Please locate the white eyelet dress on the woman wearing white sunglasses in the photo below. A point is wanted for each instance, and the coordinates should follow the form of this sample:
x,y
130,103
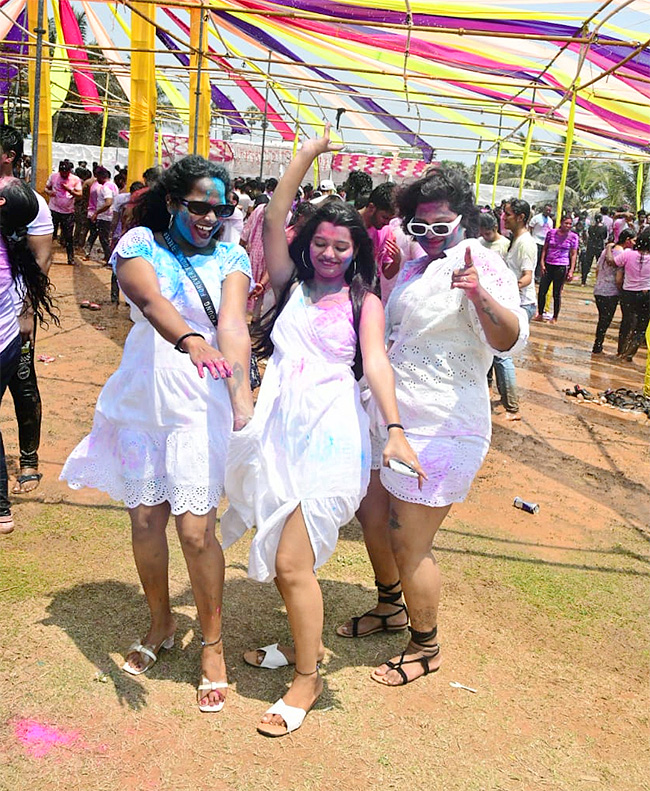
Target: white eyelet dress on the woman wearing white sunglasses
x,y
441,357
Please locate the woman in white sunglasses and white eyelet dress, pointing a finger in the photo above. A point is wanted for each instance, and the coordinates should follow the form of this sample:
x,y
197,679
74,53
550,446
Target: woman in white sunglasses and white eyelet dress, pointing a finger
x,y
449,313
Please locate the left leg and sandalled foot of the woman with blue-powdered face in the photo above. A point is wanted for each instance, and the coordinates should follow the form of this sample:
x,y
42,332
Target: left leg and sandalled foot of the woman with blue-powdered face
x,y
149,539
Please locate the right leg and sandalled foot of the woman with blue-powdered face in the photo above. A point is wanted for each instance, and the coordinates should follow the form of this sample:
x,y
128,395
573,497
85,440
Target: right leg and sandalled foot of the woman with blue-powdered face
x,y
205,565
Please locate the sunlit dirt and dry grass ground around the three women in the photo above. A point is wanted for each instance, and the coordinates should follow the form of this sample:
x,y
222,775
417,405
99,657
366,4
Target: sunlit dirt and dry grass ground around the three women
x,y
545,616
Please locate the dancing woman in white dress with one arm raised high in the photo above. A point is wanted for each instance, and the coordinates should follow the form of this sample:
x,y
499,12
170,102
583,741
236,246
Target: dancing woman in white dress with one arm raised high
x,y
299,469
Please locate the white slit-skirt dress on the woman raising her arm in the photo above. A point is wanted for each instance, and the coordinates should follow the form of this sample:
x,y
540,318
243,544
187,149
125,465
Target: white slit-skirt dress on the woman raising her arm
x,y
308,442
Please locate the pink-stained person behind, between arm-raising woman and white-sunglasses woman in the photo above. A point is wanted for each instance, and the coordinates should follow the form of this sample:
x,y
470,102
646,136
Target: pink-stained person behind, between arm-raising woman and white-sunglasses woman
x,y
376,216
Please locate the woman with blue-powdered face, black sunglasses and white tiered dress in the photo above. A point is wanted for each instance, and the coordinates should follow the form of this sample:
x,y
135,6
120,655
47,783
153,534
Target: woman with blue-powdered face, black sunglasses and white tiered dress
x,y
164,418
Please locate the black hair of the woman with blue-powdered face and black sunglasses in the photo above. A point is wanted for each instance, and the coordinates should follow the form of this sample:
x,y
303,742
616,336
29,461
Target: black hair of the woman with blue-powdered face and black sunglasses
x,y
151,209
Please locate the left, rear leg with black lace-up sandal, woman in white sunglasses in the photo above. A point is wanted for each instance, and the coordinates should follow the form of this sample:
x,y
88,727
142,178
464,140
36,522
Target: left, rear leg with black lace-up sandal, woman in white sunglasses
x,y
373,514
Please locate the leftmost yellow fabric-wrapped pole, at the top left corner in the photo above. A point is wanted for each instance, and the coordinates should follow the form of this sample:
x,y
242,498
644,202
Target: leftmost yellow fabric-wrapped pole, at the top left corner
x,y
42,135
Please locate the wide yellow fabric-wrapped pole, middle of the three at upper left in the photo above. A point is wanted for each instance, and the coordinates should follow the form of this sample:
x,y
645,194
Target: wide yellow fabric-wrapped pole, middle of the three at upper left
x,y
143,89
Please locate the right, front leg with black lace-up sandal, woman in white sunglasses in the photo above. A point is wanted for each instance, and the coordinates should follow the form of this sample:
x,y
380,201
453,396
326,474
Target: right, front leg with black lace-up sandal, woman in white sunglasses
x,y
413,528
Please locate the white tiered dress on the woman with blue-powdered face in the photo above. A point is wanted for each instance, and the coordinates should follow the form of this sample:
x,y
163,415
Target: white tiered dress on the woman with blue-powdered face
x,y
160,432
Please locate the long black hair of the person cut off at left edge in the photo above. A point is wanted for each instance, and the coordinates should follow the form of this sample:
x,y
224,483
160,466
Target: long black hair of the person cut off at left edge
x,y
19,209
